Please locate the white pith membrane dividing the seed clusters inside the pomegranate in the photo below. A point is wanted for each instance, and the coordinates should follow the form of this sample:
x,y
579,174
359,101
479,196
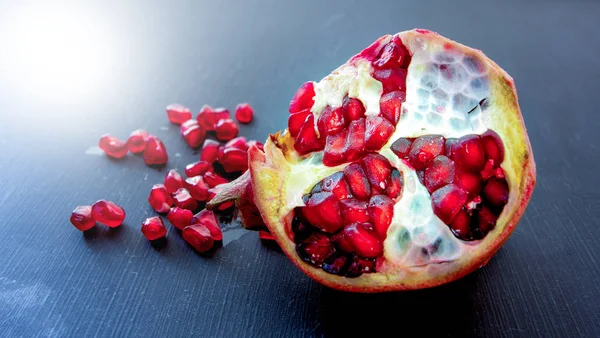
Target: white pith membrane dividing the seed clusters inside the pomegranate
x,y
444,90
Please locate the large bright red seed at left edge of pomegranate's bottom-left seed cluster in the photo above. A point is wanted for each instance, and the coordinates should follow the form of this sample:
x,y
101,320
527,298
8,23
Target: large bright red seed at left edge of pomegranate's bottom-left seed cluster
x,y
323,211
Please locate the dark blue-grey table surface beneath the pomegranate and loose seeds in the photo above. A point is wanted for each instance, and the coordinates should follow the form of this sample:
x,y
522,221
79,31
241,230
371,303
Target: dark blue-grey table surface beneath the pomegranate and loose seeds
x,y
71,72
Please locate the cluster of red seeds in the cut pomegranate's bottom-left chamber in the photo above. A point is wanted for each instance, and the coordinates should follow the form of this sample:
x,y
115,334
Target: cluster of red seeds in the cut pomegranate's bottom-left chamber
x,y
344,223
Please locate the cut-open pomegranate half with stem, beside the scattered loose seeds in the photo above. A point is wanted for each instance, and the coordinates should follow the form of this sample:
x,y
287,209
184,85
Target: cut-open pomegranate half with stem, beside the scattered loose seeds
x,y
405,168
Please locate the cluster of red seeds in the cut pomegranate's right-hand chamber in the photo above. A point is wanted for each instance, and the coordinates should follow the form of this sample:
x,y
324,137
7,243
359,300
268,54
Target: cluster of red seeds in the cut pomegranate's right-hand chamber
x,y
468,188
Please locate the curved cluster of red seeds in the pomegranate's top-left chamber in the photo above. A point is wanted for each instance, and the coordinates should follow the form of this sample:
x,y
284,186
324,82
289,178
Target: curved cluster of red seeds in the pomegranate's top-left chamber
x,y
344,133
